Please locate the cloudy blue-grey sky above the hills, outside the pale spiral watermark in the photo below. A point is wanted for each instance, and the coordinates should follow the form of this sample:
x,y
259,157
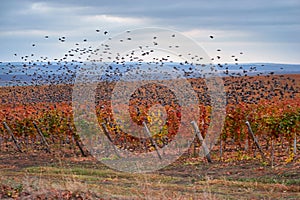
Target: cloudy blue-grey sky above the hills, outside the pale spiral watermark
x,y
264,30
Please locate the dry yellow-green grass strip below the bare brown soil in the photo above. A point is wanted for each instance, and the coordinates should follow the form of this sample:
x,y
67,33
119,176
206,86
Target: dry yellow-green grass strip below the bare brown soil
x,y
106,183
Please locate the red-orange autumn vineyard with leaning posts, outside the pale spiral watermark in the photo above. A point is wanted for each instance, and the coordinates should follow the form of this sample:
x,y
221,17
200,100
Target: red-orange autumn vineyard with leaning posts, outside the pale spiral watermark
x,y
40,120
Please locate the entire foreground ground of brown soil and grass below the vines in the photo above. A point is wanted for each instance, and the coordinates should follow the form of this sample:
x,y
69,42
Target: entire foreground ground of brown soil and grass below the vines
x,y
43,176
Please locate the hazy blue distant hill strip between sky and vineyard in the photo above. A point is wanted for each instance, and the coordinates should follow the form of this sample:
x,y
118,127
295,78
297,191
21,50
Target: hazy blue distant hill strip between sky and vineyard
x,y
17,73
